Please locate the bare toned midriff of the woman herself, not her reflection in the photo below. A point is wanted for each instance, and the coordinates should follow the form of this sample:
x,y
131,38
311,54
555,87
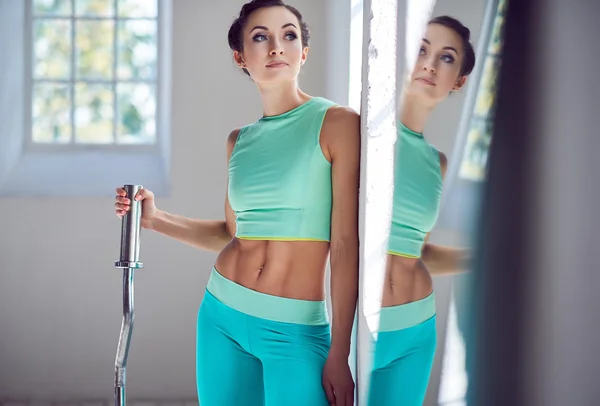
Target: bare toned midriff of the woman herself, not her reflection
x,y
291,269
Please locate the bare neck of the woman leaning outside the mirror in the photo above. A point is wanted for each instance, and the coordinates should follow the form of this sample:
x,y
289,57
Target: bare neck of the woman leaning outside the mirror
x,y
280,98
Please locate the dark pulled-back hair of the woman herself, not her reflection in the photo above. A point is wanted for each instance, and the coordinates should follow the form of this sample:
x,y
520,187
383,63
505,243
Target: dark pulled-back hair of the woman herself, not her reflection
x,y
236,31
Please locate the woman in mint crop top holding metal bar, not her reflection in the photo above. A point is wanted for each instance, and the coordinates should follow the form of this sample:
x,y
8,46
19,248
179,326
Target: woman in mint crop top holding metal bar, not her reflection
x,y
263,336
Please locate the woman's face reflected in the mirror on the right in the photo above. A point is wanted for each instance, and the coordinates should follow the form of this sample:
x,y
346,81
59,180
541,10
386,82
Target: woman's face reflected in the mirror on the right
x,y
438,66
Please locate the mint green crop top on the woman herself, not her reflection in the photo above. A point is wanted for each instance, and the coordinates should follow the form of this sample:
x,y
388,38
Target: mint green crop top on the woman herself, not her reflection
x,y
279,179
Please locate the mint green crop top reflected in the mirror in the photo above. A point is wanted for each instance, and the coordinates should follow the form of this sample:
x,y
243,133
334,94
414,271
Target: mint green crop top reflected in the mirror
x,y
417,192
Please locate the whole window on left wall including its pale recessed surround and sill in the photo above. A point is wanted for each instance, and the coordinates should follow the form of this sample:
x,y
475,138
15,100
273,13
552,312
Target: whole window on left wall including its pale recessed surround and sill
x,y
87,96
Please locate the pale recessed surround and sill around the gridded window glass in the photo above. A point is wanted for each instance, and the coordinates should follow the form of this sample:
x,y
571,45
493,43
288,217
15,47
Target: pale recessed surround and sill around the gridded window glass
x,y
33,169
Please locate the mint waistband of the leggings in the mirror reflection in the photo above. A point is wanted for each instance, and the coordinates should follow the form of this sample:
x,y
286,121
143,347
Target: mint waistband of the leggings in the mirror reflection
x,y
407,315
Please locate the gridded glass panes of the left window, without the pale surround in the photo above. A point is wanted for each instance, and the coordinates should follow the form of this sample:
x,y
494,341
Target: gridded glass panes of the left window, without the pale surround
x,y
94,69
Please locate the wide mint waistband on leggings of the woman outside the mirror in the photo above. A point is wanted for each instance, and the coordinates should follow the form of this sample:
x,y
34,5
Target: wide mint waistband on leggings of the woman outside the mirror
x,y
265,306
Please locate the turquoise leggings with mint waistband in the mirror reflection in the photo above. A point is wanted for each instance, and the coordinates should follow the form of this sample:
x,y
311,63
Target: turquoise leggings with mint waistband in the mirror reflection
x,y
404,354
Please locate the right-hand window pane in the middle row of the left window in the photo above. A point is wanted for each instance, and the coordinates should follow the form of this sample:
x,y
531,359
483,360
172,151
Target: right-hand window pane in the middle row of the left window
x,y
137,49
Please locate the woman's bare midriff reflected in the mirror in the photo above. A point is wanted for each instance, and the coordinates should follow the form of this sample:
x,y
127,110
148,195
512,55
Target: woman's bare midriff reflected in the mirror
x,y
407,280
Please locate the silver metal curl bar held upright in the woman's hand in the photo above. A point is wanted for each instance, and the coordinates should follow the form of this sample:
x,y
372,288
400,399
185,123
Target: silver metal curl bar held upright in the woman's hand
x,y
129,261
